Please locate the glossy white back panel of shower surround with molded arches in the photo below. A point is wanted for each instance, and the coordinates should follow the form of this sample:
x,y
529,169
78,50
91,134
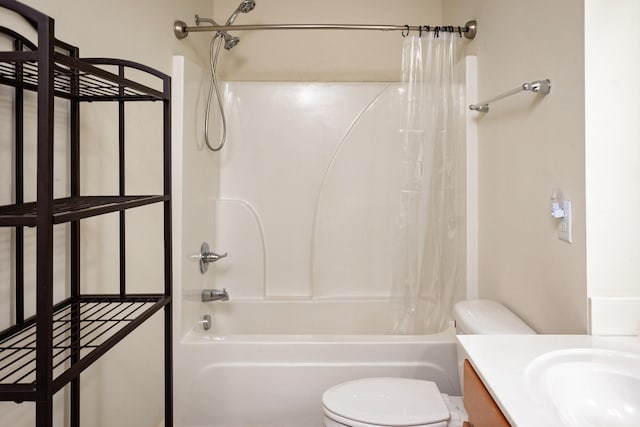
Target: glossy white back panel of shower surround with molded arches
x,y
308,204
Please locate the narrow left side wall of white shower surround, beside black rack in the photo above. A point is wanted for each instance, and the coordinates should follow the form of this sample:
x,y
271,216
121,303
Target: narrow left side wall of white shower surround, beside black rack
x,y
194,191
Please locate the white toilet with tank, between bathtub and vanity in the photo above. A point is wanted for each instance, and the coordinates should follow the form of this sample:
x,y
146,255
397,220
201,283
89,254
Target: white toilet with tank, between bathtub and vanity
x,y
398,402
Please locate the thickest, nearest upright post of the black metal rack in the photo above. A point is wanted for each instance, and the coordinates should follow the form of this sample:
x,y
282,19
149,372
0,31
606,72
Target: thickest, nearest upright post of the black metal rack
x,y
44,224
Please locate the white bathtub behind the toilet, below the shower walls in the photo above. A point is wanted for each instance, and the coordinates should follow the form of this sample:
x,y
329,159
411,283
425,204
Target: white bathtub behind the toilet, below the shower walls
x,y
237,377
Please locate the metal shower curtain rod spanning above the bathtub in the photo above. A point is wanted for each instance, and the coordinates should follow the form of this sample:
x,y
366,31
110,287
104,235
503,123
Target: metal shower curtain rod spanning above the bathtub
x,y
181,30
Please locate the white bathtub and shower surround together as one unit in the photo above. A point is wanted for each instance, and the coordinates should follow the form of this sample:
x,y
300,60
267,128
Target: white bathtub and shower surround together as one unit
x,y
303,198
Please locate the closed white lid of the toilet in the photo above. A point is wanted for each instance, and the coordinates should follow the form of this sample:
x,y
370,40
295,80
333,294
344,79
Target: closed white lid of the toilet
x,y
387,401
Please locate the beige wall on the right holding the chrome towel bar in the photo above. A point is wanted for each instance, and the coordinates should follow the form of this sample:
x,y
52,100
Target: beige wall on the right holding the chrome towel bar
x,y
527,147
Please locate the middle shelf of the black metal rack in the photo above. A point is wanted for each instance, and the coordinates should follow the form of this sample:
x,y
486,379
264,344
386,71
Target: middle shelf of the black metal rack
x,y
73,208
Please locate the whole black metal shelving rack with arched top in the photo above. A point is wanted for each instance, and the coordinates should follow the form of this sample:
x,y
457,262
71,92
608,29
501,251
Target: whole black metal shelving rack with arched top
x,y
41,354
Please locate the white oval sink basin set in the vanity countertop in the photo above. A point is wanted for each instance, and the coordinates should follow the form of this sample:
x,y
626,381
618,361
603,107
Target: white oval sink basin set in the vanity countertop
x,y
588,387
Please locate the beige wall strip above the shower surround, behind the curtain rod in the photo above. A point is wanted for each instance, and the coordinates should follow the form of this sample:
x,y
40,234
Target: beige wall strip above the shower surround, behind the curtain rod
x,y
320,55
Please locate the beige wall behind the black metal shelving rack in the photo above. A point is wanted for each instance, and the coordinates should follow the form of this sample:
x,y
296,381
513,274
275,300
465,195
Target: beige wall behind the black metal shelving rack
x,y
124,388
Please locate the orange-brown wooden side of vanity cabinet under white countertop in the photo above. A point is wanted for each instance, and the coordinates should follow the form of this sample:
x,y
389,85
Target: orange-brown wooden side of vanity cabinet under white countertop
x,y
481,408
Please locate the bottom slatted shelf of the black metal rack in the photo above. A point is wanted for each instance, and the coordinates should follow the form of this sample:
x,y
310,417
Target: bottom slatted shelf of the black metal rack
x,y
89,325
